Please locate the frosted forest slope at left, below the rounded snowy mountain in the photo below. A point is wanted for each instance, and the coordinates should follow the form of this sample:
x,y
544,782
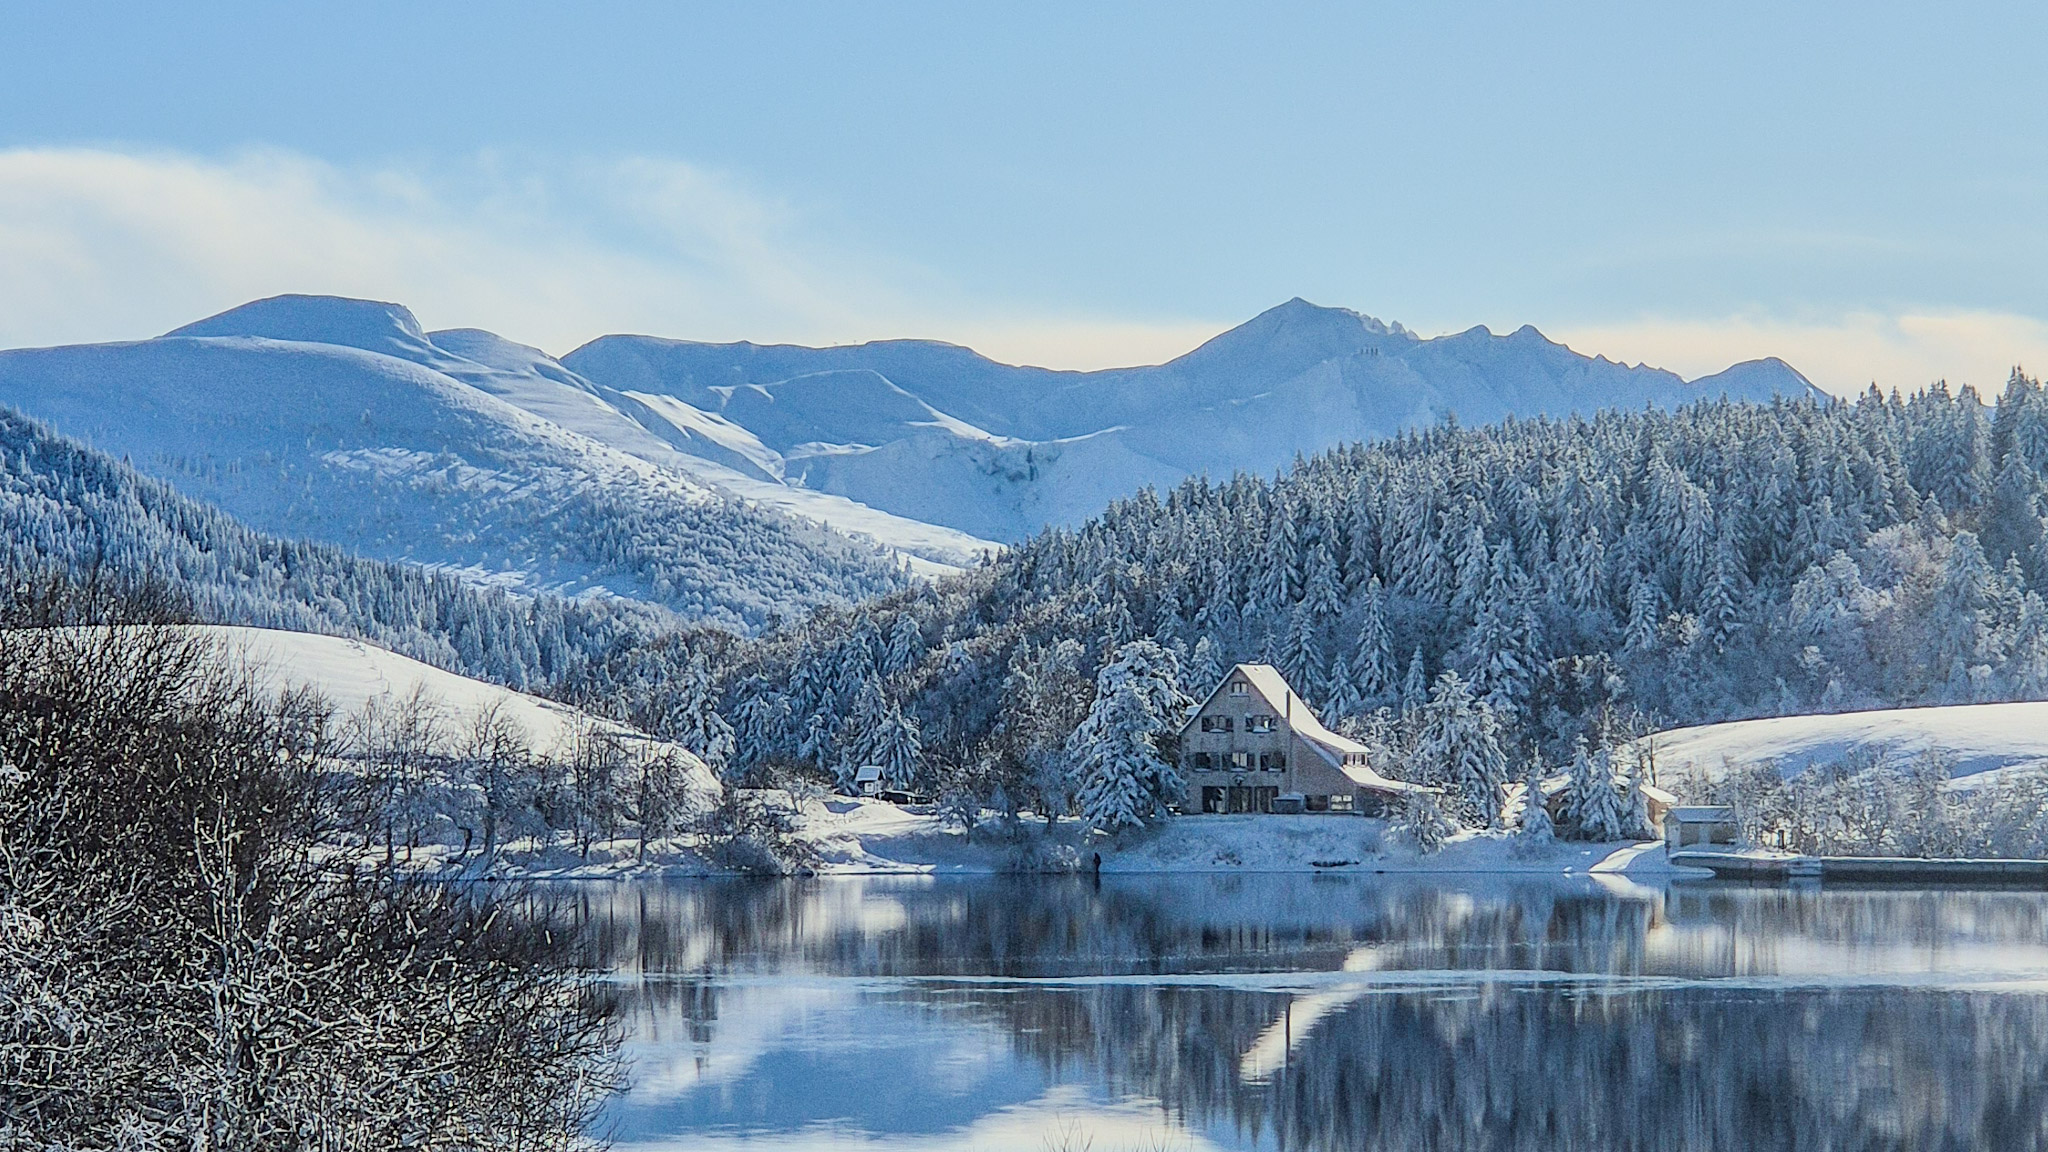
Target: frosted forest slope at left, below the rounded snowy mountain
x,y
75,511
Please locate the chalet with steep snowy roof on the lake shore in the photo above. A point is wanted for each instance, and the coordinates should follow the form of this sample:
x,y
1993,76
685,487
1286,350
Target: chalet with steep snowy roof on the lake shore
x,y
1256,747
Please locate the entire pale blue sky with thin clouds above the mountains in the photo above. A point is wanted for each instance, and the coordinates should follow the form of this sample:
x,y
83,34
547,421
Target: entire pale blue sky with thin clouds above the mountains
x,y
1861,190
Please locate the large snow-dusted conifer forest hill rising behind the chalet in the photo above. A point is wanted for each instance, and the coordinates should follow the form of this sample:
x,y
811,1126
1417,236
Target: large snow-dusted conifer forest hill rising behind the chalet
x,y
1711,563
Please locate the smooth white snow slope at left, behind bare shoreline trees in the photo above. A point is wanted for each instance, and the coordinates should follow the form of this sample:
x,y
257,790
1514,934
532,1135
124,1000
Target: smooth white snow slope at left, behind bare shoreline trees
x,y
353,675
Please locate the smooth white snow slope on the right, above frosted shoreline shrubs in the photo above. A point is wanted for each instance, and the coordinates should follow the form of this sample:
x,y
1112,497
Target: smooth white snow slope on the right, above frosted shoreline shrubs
x,y
1981,737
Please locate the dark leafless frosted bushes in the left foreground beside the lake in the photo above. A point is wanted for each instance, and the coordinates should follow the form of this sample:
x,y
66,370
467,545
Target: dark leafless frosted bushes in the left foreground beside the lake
x,y
191,956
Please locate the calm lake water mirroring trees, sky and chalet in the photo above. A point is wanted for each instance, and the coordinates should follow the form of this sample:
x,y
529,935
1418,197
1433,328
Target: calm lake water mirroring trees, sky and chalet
x,y
1324,1014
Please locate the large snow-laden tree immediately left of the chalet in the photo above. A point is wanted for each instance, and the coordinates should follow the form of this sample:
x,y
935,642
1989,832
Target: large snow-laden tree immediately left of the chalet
x,y
1125,776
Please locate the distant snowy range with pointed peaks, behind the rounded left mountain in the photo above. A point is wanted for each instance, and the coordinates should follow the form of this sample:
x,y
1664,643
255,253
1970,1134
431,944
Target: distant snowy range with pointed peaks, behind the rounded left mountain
x,y
941,434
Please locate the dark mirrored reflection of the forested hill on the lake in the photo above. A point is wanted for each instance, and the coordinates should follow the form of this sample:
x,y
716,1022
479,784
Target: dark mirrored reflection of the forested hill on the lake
x,y
1385,1063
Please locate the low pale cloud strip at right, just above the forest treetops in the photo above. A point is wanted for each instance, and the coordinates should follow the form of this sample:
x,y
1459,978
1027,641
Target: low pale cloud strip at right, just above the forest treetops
x,y
1842,354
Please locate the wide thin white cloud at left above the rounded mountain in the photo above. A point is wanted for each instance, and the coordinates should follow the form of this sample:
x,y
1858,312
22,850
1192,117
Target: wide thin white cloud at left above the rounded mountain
x,y
101,245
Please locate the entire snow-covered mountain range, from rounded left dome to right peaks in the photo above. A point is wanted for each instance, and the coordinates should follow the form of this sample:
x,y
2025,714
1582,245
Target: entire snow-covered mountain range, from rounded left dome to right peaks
x,y
724,481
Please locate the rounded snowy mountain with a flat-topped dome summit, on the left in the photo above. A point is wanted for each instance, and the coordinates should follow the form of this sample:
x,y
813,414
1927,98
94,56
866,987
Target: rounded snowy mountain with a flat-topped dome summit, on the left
x,y
341,421
